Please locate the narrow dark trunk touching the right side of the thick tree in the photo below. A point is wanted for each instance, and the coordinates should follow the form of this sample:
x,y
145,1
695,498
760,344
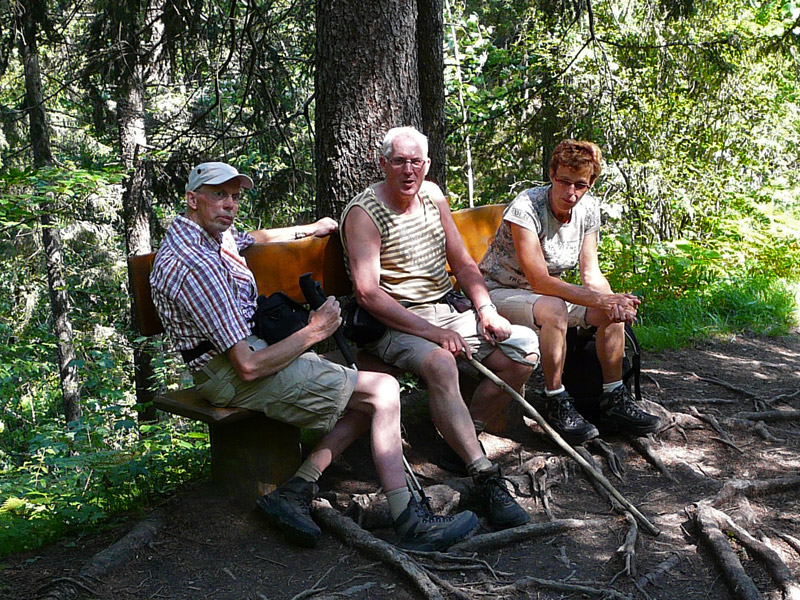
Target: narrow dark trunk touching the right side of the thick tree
x,y
430,41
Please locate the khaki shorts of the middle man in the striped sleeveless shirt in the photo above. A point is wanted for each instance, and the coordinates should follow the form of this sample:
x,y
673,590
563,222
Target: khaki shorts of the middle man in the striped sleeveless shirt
x,y
409,351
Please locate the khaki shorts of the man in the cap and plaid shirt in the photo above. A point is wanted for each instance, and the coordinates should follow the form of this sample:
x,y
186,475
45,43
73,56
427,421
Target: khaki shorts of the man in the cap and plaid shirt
x,y
310,393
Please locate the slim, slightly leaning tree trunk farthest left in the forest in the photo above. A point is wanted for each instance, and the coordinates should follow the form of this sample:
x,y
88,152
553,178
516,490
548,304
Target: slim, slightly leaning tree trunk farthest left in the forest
x,y
51,238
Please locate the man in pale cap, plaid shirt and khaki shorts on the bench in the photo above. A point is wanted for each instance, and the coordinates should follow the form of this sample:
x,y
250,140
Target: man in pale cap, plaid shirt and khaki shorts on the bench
x,y
206,298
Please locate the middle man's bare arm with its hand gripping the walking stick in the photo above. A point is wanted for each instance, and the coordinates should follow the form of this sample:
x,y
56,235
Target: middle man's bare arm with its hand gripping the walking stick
x,y
364,243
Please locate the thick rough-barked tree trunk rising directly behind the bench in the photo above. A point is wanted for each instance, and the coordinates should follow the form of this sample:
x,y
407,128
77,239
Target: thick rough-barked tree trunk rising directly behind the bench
x,y
366,82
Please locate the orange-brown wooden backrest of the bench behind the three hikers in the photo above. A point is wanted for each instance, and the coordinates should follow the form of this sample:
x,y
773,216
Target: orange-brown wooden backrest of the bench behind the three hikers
x,y
278,266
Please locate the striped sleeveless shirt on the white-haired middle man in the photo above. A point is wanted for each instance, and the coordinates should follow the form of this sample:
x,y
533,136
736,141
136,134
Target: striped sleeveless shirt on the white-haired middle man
x,y
413,253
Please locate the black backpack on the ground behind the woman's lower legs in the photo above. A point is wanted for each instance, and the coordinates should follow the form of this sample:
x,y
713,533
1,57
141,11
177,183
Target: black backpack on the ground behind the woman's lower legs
x,y
583,377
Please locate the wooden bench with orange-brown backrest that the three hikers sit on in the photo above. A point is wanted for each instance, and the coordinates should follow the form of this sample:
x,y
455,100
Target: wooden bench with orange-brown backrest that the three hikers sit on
x,y
250,454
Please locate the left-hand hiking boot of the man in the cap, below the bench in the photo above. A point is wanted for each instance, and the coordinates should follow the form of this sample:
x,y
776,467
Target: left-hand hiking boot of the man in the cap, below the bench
x,y
288,509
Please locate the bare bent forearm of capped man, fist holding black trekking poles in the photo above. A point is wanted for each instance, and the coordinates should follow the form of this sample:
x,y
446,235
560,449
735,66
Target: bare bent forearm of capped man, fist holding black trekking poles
x,y
250,365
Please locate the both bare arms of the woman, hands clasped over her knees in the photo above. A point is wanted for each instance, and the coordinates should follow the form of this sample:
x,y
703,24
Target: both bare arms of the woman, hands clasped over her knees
x,y
595,293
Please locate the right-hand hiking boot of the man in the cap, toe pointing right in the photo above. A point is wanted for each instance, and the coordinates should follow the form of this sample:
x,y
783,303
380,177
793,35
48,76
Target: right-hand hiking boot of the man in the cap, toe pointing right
x,y
421,530
